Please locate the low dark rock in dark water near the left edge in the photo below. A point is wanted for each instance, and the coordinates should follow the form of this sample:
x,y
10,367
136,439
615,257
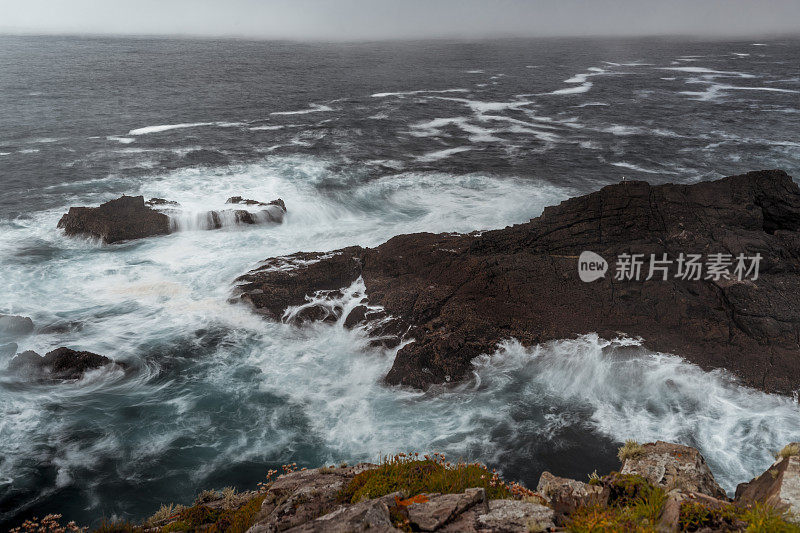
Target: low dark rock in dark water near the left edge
x,y
59,364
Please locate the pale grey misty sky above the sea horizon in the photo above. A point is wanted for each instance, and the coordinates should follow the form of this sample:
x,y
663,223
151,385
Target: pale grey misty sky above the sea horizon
x,y
389,19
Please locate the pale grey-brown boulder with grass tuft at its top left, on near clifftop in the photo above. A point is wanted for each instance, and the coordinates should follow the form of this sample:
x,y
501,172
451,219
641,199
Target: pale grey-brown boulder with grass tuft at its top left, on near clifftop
x,y
673,466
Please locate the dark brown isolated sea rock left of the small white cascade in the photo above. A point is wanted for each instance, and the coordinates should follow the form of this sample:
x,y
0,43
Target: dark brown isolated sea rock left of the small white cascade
x,y
122,219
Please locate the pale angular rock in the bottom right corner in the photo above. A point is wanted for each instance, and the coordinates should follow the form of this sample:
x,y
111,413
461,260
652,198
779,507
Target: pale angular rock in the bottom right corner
x,y
778,487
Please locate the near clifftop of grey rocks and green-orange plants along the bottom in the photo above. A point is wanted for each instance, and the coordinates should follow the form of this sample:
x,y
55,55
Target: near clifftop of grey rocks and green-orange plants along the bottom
x,y
660,487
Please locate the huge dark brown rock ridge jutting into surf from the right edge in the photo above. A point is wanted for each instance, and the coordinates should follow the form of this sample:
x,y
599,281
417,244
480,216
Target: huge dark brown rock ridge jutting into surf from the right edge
x,y
457,296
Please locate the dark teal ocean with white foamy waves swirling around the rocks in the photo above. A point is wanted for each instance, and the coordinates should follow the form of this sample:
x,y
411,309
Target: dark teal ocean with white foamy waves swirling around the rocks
x,y
363,141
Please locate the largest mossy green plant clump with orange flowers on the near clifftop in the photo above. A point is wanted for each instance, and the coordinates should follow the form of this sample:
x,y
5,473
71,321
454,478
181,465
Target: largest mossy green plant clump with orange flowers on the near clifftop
x,y
432,473
